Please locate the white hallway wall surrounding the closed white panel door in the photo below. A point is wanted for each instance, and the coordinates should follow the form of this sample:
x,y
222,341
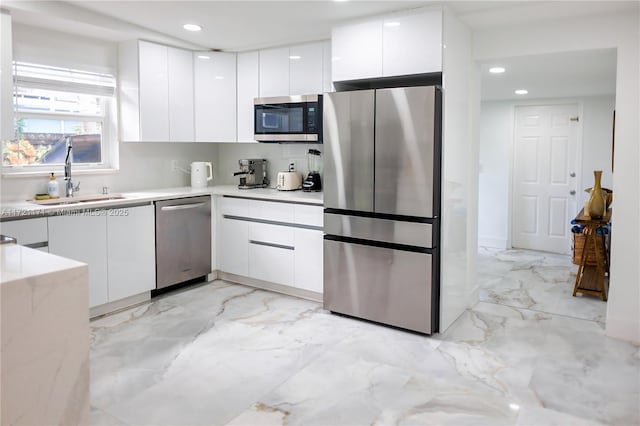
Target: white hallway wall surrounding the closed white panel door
x,y
496,159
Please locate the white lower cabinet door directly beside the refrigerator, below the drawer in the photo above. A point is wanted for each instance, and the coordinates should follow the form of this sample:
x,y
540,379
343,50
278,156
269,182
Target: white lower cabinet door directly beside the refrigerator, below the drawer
x,y
308,260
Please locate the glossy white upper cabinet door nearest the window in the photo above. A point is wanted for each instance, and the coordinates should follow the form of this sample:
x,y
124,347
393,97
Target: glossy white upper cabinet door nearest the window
x,y
154,92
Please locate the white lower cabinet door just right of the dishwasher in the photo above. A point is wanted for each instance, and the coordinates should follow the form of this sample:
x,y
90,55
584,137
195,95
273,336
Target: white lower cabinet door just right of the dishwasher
x,y
233,241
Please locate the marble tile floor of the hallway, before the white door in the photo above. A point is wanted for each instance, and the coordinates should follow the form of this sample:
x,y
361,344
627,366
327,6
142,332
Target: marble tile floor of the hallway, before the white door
x,y
534,280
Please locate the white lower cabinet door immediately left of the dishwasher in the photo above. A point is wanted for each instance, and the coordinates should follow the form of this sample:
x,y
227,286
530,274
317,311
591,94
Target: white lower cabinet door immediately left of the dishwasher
x,y
131,251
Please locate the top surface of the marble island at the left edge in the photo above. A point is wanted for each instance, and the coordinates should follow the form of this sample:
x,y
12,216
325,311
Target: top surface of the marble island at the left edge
x,y
18,262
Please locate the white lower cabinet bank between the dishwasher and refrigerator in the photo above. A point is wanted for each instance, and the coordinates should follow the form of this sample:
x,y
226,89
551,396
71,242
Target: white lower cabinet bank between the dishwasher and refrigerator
x,y
272,241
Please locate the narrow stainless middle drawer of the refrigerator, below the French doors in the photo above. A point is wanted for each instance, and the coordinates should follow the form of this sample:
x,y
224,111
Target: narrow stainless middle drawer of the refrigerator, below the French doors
x,y
376,229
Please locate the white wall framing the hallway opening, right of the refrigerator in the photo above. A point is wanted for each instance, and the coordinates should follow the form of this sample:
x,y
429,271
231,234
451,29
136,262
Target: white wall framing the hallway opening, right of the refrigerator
x,y
615,31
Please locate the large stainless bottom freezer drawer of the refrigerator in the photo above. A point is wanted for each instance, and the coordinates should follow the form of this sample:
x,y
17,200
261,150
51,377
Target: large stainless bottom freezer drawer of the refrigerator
x,y
379,284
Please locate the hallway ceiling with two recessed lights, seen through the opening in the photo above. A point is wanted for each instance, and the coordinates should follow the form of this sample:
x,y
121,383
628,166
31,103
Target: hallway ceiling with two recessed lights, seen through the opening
x,y
558,75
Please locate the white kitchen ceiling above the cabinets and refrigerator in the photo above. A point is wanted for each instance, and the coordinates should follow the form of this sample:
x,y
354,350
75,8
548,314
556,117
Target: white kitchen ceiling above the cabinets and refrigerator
x,y
245,25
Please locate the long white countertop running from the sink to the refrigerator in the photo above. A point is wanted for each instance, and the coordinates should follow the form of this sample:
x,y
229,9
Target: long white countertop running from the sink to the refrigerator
x,y
25,208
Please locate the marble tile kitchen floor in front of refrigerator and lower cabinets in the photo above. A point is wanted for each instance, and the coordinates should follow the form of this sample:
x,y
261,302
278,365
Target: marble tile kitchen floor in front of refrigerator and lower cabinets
x,y
222,353
